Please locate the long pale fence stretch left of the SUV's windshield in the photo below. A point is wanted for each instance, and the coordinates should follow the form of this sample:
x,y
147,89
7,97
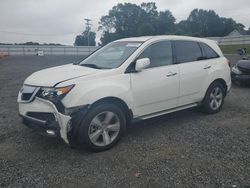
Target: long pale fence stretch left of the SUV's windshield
x,y
47,50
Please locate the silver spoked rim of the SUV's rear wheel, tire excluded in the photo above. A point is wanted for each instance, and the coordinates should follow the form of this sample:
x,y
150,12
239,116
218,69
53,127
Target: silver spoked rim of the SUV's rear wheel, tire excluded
x,y
216,98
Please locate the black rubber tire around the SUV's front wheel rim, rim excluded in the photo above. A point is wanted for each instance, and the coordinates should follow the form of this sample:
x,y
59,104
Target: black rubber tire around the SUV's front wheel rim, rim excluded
x,y
83,130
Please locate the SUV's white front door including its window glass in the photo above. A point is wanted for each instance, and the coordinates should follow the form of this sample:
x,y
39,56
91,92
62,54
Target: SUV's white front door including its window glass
x,y
156,88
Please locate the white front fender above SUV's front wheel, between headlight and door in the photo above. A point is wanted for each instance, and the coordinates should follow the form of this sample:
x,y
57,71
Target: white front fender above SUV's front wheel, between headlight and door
x,y
90,91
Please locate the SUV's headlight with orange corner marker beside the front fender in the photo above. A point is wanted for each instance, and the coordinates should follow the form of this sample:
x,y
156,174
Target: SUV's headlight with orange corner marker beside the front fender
x,y
55,94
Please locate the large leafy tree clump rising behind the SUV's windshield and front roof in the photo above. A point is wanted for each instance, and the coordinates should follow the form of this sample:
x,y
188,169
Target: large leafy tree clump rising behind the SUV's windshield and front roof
x,y
128,20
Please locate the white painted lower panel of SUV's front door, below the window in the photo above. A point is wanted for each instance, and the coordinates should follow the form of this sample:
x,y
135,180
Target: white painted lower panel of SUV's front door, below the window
x,y
162,93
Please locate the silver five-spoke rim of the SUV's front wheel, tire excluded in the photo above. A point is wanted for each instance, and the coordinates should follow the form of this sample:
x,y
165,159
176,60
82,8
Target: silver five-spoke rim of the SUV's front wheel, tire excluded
x,y
104,128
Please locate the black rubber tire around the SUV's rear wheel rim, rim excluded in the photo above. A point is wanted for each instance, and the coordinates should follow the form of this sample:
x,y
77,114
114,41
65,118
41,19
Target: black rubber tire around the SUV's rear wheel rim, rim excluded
x,y
206,103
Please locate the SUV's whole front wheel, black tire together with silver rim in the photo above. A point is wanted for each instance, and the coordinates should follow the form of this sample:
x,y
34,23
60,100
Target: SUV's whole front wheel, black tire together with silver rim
x,y
102,127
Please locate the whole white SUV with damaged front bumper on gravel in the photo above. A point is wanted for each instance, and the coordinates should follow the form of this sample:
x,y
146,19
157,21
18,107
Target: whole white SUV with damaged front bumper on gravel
x,y
93,101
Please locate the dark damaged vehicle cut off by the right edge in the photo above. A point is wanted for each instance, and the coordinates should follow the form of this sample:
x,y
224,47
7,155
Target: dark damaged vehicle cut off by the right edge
x,y
241,71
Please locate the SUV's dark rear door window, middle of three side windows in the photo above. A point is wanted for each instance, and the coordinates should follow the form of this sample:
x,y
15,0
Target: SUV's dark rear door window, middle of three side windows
x,y
187,51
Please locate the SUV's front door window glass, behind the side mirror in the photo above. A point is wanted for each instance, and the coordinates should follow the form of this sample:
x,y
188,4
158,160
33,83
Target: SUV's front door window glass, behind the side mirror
x,y
160,54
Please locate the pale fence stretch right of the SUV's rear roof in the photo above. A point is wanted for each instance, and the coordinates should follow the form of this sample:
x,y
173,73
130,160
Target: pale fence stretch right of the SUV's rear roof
x,y
245,39
